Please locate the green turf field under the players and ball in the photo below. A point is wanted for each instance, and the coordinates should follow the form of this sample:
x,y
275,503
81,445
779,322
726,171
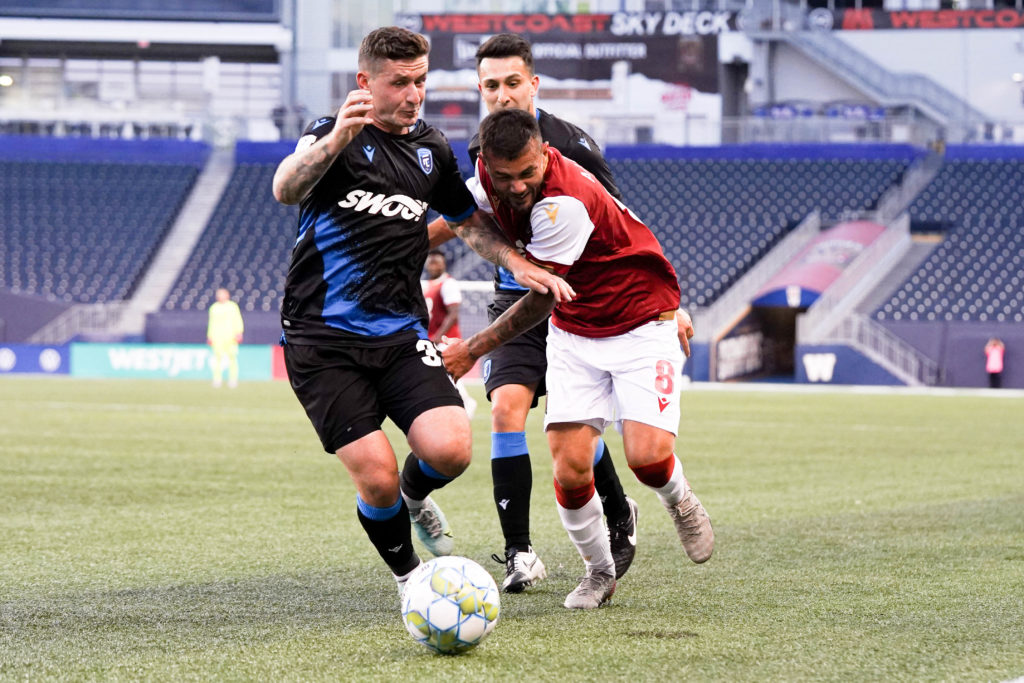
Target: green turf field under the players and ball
x,y
166,531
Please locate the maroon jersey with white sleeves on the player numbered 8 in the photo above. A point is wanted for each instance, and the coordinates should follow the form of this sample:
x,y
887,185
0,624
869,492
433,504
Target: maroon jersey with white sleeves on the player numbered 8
x,y
611,259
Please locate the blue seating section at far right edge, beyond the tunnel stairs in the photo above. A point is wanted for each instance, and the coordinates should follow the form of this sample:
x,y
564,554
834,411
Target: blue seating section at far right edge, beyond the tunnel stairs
x,y
977,273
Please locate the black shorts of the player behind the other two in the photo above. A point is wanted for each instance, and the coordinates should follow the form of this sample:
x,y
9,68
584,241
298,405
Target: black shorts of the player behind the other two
x,y
520,361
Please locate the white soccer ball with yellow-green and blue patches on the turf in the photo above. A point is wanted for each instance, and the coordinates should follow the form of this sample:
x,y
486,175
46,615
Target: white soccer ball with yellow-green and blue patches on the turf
x,y
450,605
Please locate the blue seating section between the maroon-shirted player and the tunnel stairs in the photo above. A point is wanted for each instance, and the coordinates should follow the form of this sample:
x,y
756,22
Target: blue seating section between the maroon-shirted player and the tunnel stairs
x,y
716,218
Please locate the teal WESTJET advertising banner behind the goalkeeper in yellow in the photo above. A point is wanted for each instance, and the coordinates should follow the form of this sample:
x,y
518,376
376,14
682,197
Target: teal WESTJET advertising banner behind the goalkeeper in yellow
x,y
183,362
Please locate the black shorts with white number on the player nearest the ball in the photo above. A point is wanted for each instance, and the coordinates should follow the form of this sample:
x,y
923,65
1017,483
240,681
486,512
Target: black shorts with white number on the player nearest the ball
x,y
349,392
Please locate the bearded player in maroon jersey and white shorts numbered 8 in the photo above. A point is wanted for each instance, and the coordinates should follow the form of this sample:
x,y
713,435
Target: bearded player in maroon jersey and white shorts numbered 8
x,y
614,354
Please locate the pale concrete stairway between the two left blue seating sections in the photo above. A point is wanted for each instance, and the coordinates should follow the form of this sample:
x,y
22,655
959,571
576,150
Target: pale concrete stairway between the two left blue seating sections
x,y
179,245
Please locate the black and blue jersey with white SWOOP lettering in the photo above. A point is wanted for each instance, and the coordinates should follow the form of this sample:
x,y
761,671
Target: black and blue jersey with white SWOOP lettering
x,y
355,276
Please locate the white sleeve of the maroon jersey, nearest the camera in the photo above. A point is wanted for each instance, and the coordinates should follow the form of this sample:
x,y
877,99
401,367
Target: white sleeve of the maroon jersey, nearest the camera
x,y
562,229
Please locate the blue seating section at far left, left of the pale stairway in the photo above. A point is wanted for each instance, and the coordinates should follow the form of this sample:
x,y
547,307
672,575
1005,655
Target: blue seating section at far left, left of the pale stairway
x,y
84,232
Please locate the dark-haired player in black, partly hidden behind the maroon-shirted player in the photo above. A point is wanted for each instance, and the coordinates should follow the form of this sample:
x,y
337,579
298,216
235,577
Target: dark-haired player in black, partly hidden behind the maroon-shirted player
x,y
515,373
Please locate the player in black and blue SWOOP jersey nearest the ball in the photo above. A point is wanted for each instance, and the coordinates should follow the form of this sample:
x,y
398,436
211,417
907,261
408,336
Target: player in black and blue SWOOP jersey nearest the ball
x,y
354,315
